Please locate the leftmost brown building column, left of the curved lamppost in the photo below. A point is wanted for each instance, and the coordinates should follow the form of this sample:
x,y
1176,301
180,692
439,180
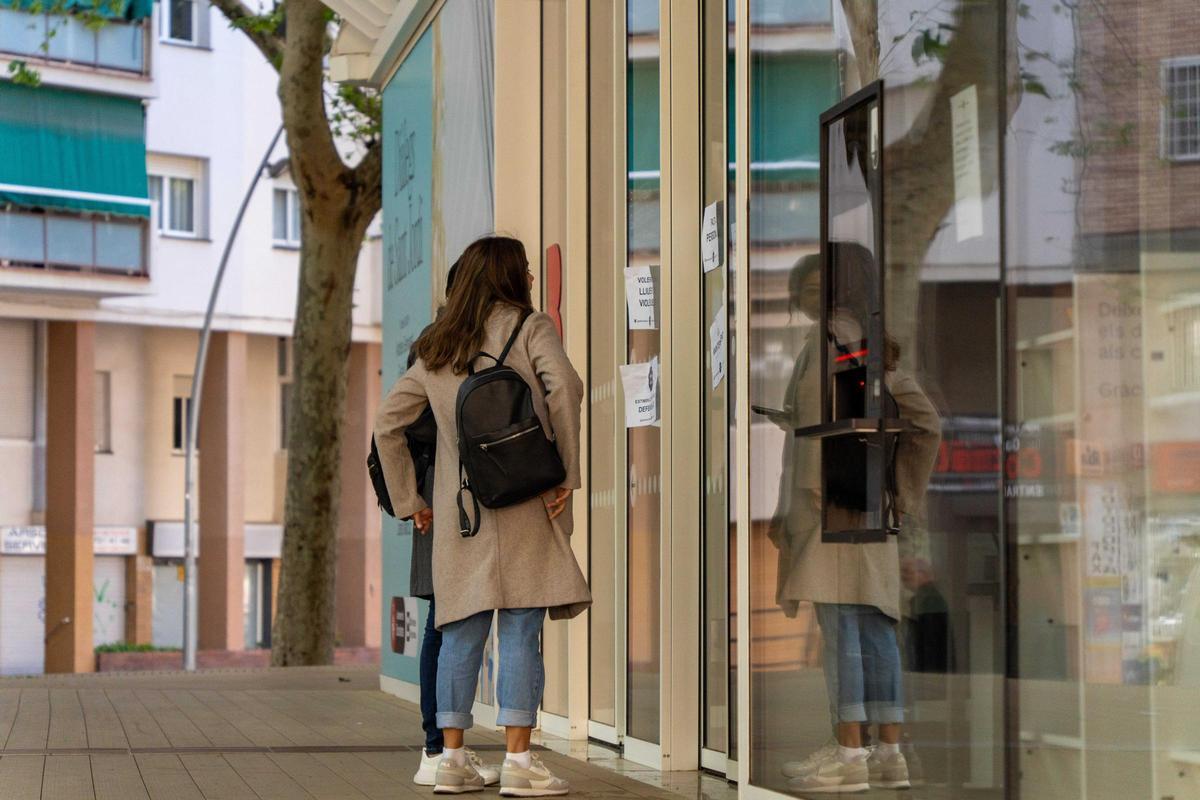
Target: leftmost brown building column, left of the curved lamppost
x,y
70,496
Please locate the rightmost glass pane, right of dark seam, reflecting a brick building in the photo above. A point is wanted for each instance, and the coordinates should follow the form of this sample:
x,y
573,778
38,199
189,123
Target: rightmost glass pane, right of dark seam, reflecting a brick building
x,y
1101,444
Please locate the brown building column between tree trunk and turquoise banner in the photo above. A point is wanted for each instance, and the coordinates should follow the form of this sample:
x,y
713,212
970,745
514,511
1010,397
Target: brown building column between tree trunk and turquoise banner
x,y
359,576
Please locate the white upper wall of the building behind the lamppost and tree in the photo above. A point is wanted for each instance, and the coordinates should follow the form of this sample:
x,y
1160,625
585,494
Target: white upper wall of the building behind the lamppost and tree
x,y
219,105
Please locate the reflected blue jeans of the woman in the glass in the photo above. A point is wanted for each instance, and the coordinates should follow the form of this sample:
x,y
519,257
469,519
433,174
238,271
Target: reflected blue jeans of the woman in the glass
x,y
862,664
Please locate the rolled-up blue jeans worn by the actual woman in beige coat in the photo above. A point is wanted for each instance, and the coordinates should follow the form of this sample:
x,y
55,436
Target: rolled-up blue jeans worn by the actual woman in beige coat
x,y
523,676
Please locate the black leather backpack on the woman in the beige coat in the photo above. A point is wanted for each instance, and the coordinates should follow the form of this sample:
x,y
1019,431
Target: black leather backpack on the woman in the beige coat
x,y
505,455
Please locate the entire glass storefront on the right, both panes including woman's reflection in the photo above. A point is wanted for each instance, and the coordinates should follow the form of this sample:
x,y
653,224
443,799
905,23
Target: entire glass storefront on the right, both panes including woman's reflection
x,y
1042,302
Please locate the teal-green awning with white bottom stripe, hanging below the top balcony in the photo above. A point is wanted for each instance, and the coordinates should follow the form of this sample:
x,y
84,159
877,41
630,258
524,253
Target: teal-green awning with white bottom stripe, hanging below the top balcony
x,y
73,151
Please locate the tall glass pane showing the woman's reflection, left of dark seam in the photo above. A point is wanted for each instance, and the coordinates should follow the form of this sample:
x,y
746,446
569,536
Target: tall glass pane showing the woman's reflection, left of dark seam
x,y
896,642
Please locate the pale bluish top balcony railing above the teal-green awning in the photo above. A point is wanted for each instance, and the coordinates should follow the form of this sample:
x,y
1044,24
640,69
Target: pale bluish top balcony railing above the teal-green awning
x,y
117,45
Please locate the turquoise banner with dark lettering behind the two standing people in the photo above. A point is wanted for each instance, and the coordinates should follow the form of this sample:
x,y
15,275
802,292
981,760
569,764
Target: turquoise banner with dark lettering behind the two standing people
x,y
407,309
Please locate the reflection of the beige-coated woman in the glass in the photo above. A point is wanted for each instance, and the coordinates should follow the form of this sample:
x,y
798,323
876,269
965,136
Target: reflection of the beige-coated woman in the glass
x,y
855,588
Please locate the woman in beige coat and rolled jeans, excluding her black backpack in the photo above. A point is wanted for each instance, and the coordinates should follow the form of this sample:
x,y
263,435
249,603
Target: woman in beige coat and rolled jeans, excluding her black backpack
x,y
520,566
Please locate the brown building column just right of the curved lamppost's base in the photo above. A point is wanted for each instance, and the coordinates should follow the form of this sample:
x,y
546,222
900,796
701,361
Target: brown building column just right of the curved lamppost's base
x,y
223,563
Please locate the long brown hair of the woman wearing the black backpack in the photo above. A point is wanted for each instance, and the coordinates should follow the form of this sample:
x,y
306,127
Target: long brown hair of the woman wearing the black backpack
x,y
491,272
